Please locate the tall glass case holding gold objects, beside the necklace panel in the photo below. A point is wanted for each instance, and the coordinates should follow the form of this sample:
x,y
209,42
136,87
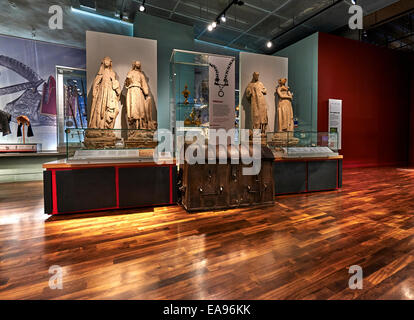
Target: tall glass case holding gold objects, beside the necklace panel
x,y
189,93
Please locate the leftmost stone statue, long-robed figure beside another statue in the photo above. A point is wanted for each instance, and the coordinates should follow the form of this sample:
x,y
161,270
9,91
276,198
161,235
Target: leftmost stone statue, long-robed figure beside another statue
x,y
105,101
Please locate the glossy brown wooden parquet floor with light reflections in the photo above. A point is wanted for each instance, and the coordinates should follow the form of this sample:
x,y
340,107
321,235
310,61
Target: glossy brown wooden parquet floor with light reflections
x,y
300,248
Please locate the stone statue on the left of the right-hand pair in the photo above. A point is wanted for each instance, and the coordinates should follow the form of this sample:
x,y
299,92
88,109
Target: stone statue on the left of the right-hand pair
x,y
255,93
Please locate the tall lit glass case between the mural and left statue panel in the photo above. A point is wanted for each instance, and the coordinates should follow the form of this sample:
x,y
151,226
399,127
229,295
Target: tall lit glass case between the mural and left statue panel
x,y
71,101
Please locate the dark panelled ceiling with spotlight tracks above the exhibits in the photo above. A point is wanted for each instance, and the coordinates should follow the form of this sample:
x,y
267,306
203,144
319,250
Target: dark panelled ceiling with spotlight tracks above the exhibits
x,y
250,26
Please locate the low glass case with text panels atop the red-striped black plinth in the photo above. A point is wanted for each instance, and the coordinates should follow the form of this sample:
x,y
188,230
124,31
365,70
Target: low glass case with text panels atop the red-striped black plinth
x,y
111,145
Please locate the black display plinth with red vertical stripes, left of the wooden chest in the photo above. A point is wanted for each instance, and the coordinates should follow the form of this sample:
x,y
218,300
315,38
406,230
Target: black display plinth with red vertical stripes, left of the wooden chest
x,y
75,188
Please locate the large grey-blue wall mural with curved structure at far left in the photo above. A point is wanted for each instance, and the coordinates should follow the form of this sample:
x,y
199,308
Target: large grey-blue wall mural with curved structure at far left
x,y
28,84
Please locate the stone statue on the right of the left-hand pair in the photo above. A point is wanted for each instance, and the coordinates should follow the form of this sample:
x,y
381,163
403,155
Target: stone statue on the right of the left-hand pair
x,y
138,101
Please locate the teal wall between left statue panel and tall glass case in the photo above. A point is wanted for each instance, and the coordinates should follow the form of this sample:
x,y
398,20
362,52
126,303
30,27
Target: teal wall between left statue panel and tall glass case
x,y
169,35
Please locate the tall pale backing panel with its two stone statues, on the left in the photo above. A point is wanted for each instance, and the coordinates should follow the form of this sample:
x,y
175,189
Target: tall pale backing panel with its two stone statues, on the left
x,y
131,91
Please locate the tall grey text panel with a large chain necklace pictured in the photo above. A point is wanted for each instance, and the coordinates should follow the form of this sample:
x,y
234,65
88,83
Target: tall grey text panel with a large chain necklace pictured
x,y
222,113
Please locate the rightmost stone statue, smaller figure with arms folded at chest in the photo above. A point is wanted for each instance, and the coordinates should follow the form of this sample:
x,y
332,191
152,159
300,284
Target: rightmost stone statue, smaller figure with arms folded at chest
x,y
284,108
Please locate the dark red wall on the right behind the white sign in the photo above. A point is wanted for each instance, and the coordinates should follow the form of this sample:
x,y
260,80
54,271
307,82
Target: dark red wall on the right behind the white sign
x,y
374,85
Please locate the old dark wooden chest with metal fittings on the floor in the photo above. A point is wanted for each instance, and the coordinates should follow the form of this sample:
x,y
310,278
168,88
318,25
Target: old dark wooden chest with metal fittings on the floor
x,y
222,186
